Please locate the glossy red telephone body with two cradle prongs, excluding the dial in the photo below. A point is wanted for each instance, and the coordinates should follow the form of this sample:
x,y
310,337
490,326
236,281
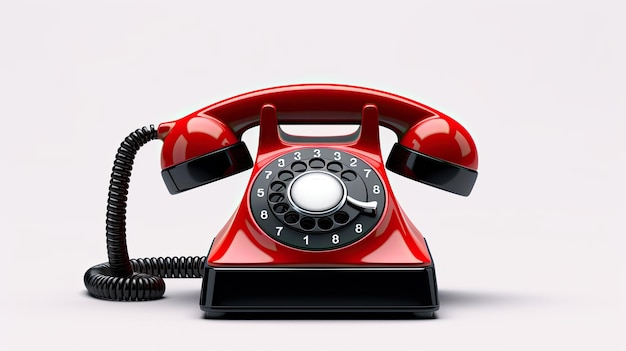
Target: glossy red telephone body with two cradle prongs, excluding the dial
x,y
393,242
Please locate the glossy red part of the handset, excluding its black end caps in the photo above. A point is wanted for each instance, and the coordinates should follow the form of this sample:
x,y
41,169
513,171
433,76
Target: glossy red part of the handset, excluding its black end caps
x,y
326,104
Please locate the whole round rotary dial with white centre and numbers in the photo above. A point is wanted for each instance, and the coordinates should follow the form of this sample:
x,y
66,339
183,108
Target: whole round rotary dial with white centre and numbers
x,y
317,199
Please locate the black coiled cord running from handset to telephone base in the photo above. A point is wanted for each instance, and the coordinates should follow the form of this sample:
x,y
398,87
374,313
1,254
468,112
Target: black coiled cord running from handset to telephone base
x,y
123,279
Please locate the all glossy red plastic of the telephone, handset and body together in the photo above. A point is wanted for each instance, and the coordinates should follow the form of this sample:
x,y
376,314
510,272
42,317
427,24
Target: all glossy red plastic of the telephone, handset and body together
x,y
394,241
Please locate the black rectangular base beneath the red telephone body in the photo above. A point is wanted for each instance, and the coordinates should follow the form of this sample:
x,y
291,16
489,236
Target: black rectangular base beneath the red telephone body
x,y
251,290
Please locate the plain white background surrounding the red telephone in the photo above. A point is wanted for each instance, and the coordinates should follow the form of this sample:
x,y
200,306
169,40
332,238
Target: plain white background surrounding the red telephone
x,y
533,259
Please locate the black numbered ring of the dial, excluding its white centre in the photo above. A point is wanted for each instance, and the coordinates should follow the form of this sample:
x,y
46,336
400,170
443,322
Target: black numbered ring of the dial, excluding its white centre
x,y
278,218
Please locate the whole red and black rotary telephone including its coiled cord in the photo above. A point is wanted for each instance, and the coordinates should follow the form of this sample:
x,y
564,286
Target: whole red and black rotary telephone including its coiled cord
x,y
319,229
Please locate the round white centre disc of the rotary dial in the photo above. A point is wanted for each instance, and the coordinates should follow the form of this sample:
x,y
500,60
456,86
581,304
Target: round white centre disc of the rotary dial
x,y
317,192
